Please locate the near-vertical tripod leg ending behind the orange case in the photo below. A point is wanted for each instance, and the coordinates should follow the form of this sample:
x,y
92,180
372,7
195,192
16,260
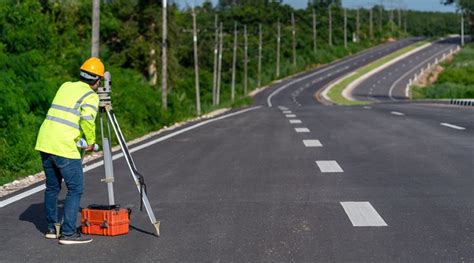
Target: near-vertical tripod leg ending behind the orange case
x,y
109,169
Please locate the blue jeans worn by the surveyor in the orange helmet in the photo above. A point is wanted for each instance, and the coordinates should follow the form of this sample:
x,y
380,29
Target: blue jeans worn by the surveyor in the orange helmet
x,y
57,168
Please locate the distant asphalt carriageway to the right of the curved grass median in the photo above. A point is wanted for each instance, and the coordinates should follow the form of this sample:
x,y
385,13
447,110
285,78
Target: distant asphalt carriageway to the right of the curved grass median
x,y
390,83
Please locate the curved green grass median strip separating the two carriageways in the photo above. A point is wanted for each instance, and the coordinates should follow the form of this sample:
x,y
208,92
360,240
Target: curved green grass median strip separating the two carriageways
x,y
335,93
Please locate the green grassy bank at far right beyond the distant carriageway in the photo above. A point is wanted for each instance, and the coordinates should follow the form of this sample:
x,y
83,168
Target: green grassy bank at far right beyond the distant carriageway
x,y
456,81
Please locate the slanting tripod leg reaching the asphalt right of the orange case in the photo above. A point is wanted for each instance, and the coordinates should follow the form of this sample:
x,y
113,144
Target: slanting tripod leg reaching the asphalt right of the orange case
x,y
136,176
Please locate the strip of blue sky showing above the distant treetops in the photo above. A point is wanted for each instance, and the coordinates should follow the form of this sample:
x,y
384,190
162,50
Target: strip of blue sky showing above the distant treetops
x,y
423,5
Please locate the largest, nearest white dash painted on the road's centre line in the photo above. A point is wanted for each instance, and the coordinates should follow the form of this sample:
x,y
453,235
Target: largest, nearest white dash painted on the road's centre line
x,y
362,214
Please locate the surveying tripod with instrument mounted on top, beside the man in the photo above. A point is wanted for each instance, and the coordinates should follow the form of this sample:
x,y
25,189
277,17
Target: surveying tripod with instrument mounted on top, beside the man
x,y
107,115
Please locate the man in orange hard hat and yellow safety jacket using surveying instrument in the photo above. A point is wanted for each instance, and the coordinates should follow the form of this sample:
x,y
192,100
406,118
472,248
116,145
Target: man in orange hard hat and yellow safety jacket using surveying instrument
x,y
71,116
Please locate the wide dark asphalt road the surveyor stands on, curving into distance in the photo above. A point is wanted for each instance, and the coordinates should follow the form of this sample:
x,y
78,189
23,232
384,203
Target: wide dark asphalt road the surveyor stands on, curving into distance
x,y
294,182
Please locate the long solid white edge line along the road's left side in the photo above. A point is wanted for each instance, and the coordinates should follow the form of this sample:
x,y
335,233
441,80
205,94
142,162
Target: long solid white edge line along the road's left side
x,y
134,149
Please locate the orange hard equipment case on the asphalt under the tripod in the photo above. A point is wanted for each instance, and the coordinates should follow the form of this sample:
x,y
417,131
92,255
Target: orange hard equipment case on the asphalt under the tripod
x,y
105,220
